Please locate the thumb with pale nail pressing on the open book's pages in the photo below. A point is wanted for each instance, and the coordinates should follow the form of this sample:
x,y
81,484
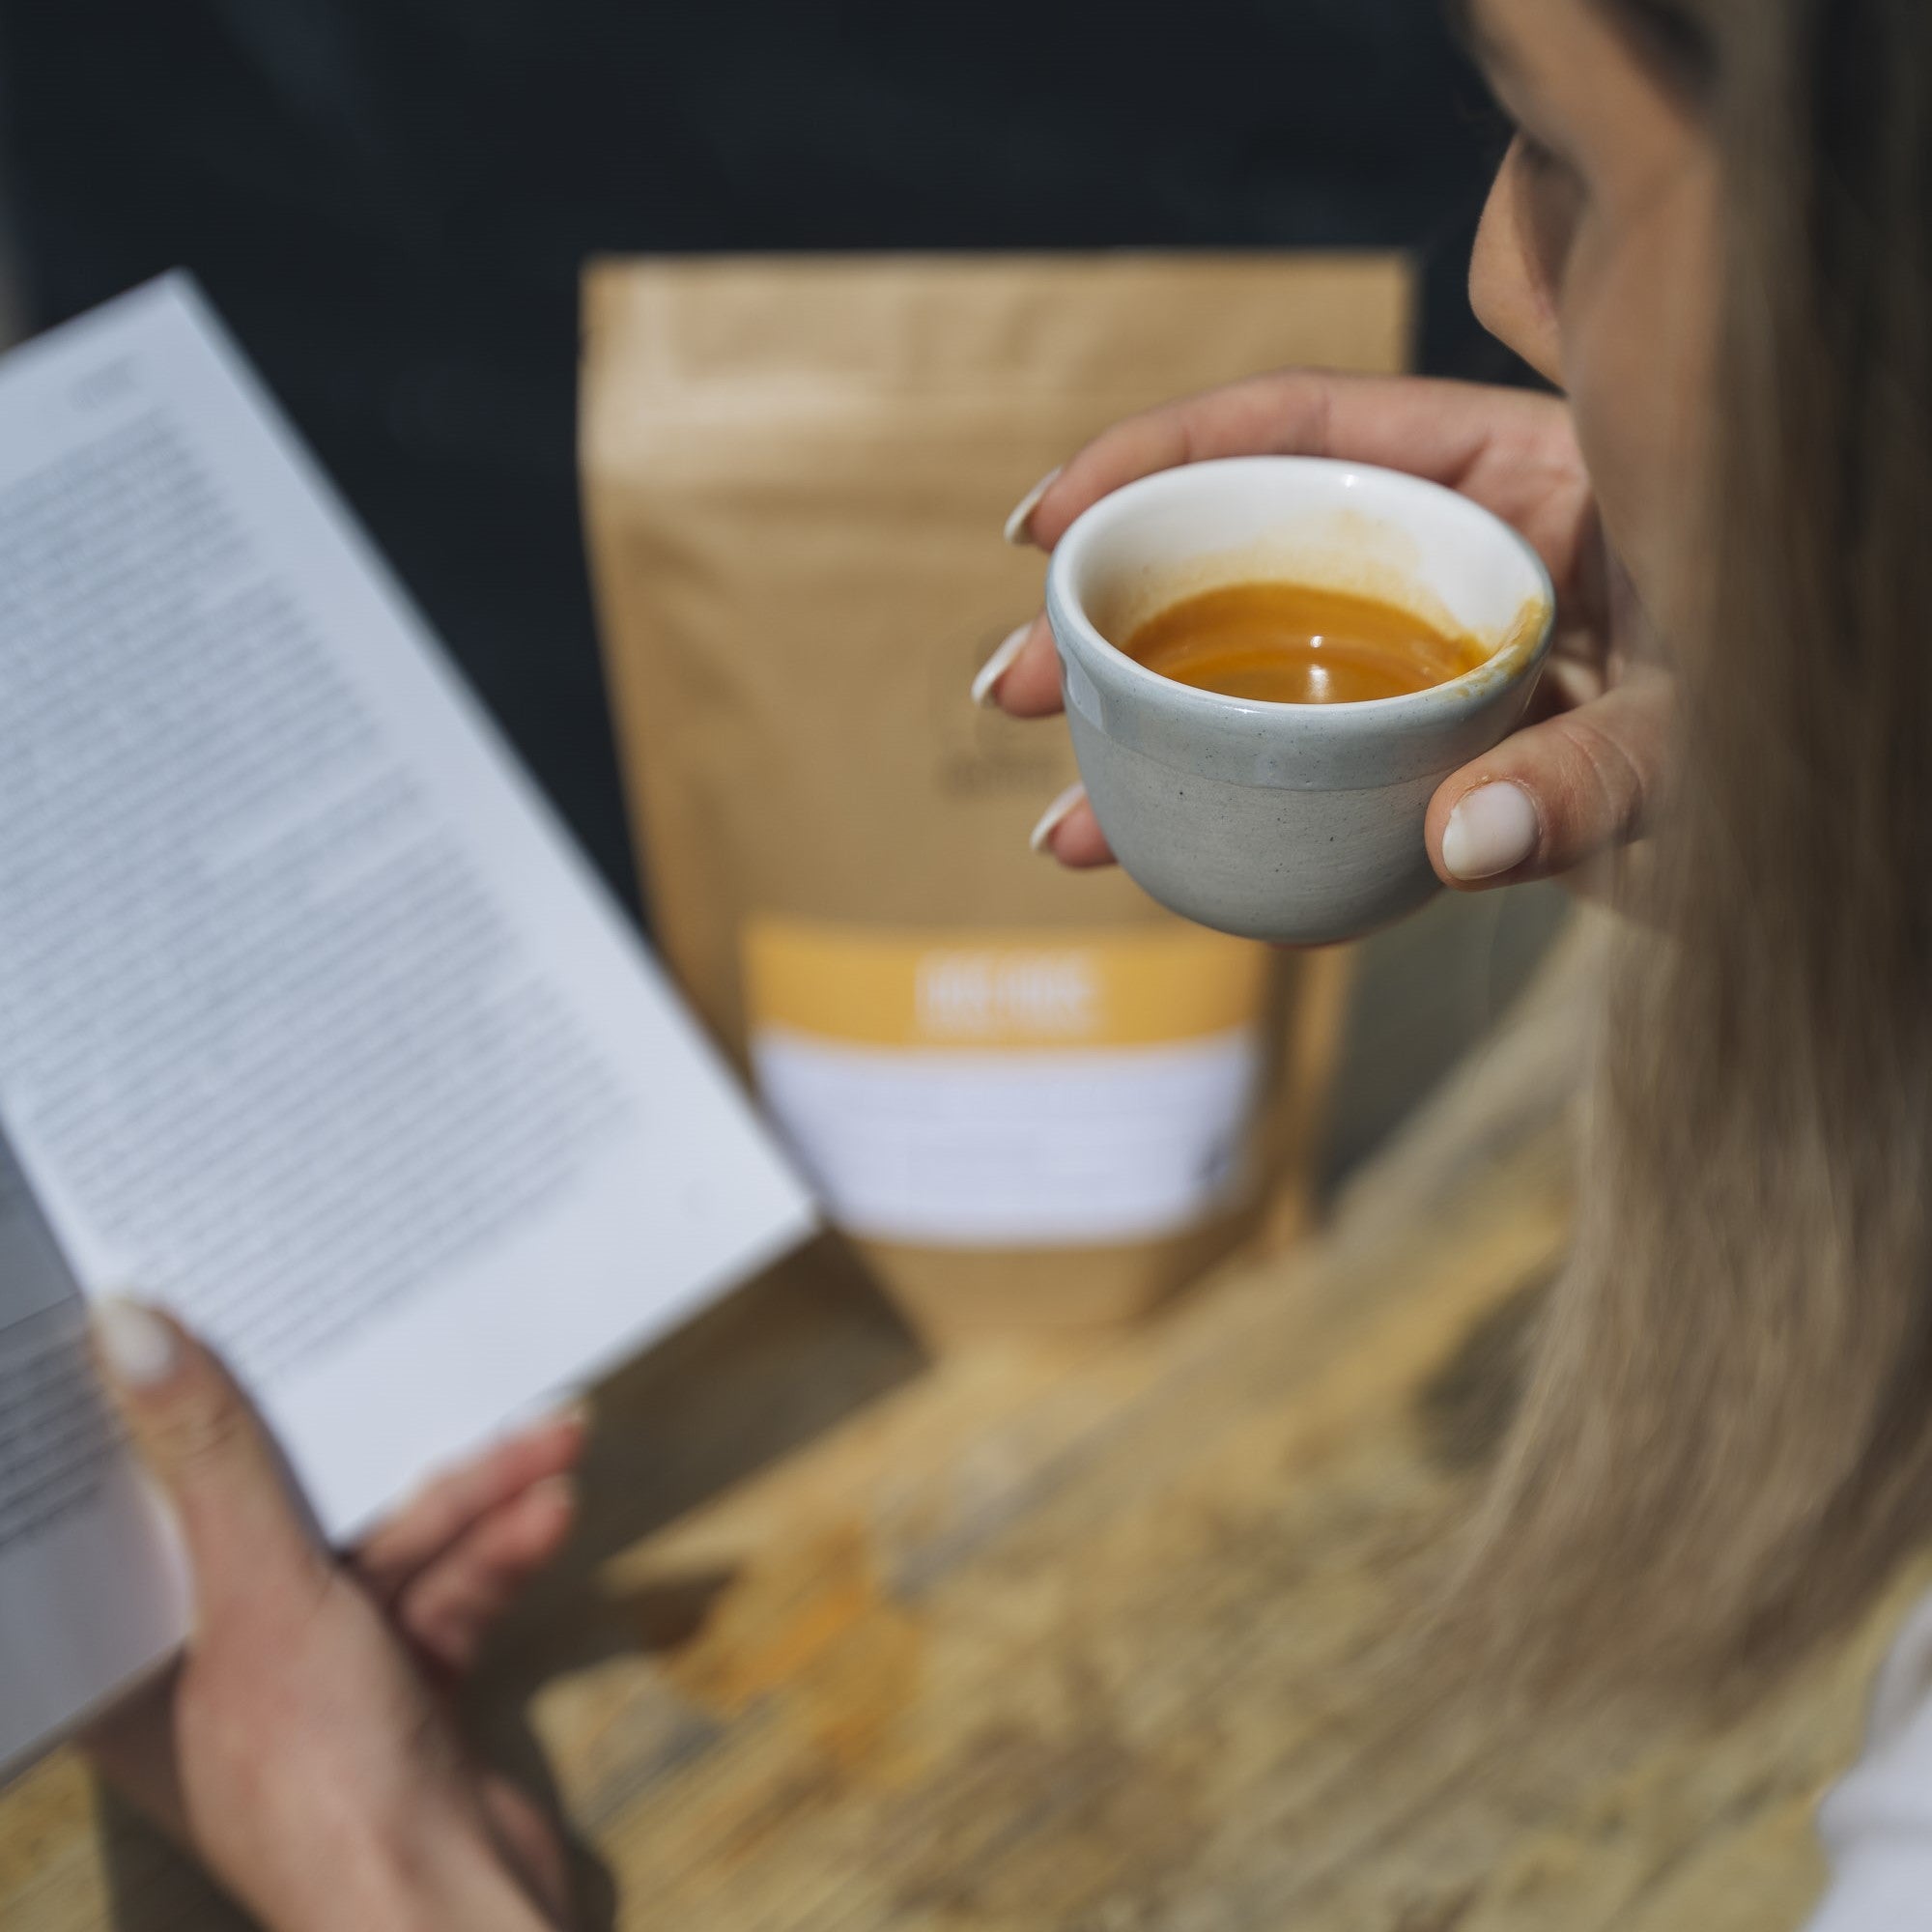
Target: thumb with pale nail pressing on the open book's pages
x,y
212,1458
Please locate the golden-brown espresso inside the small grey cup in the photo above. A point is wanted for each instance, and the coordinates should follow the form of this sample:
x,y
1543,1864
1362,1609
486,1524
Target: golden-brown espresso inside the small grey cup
x,y
1297,644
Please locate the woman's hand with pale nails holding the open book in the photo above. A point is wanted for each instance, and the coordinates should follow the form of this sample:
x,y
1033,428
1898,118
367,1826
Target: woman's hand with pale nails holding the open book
x,y
302,1747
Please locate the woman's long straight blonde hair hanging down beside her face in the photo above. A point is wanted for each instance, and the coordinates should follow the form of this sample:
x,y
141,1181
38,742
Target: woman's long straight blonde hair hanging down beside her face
x,y
1726,1438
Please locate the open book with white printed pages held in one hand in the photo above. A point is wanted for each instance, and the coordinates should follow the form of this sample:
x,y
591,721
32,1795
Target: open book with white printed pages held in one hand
x,y
312,1023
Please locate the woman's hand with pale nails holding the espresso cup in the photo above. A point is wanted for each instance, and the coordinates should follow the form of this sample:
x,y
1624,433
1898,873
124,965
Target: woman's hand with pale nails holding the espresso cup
x,y
1570,787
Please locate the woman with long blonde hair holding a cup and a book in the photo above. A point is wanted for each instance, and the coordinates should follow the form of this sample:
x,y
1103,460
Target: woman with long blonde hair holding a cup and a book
x,y
1715,235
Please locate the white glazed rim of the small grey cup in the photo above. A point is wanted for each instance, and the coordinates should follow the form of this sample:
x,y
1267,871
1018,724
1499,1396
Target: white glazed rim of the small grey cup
x,y
1463,695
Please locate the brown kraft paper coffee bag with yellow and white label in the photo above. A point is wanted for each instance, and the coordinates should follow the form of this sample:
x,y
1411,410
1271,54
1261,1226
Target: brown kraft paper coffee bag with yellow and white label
x,y
1035,1100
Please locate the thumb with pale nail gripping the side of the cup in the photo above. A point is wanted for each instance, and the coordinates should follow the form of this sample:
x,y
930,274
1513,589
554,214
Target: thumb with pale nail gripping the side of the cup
x,y
1558,795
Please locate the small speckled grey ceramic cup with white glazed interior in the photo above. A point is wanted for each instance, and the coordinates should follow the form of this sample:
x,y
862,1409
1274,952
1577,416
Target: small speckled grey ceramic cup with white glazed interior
x,y
1295,824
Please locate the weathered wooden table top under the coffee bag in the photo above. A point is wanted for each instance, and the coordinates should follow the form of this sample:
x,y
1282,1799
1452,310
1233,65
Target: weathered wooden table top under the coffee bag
x,y
1075,1641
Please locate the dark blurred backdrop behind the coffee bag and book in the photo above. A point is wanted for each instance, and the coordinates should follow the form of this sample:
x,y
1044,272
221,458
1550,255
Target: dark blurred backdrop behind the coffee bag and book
x,y
391,202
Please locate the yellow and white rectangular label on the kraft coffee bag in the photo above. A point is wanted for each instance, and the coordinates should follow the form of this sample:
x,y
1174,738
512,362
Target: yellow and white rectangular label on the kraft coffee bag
x,y
1009,1089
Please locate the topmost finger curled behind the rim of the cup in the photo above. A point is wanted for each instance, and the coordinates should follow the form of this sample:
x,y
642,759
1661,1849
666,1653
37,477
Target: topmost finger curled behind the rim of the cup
x,y
1496,445
